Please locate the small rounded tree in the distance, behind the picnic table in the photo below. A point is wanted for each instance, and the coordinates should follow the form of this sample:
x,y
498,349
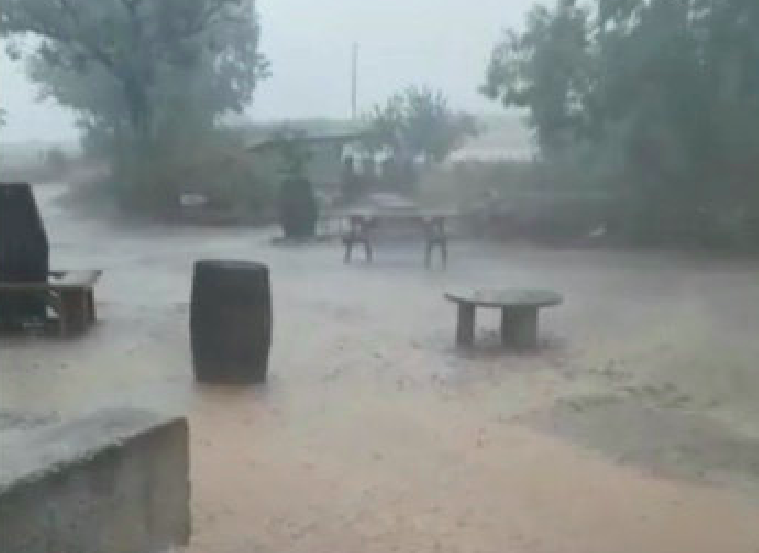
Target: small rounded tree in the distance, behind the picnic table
x,y
418,122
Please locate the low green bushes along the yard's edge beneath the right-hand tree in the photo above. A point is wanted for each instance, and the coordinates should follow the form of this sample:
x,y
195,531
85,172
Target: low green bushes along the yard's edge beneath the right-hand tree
x,y
579,192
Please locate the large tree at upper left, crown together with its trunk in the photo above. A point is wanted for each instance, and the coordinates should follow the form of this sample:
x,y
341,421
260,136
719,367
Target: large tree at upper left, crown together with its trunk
x,y
148,79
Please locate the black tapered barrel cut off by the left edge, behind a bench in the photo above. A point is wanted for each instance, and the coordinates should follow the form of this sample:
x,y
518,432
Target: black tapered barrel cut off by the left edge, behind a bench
x,y
24,253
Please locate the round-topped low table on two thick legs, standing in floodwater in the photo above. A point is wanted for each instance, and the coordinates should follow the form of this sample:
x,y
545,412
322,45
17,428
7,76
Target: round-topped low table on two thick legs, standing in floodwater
x,y
519,314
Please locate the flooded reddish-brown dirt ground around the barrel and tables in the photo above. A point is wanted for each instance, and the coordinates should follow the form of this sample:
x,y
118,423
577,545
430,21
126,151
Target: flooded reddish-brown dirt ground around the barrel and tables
x,y
634,429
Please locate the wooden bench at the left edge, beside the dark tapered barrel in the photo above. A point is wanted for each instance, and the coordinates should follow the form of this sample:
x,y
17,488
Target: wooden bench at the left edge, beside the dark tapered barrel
x,y
69,293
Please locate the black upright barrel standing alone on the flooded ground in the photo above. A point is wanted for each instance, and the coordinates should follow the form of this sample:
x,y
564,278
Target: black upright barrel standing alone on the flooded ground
x,y
230,321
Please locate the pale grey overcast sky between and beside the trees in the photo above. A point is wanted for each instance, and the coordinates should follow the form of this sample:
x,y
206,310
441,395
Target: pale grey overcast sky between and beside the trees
x,y
441,43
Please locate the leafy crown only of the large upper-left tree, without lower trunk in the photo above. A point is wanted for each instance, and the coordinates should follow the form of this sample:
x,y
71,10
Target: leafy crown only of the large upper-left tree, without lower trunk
x,y
132,65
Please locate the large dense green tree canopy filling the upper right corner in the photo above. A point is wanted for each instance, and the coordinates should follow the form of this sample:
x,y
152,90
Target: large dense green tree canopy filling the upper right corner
x,y
659,96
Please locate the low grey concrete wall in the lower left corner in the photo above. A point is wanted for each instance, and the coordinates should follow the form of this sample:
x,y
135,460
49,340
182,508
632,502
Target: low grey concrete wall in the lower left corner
x,y
113,482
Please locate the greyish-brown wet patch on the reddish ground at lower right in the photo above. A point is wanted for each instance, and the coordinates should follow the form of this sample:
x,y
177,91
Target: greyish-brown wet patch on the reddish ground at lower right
x,y
666,440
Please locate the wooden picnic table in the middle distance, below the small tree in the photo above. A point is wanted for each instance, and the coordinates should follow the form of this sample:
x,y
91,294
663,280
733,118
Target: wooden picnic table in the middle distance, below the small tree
x,y
360,228
